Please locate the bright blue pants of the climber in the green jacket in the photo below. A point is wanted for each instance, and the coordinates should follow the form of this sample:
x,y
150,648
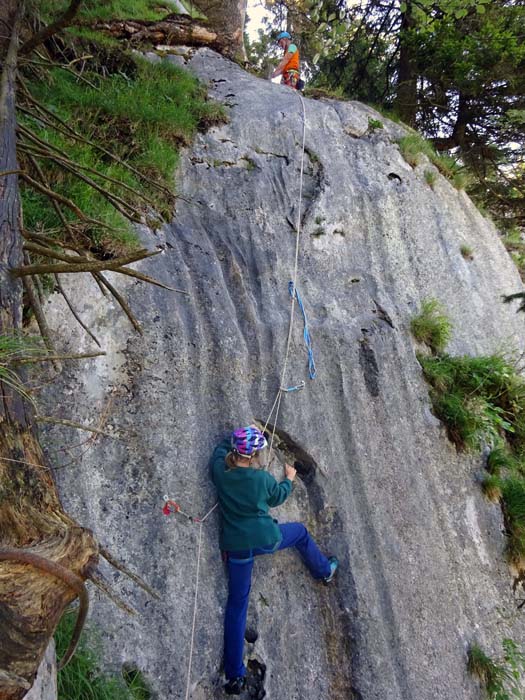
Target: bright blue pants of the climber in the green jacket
x,y
240,565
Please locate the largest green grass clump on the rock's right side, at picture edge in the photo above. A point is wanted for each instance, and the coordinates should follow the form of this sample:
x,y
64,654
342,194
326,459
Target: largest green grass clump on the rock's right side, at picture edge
x,y
481,401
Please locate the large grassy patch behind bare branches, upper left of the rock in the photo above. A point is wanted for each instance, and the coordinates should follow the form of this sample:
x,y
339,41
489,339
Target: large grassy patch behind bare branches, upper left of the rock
x,y
144,113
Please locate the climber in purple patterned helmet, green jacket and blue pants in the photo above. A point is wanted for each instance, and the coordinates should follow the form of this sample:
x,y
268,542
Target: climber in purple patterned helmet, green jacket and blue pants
x,y
246,492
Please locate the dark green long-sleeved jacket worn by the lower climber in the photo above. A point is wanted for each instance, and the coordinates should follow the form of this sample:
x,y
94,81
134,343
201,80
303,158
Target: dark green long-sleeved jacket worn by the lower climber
x,y
245,495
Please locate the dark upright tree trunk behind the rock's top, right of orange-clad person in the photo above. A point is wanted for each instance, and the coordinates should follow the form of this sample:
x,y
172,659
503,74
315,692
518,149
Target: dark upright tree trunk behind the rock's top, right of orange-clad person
x,y
406,95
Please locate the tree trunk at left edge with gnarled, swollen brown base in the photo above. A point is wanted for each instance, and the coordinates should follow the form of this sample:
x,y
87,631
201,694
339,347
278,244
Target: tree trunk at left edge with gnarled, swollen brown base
x,y
44,555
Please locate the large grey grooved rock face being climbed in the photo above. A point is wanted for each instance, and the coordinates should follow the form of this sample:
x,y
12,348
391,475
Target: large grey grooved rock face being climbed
x,y
422,572
